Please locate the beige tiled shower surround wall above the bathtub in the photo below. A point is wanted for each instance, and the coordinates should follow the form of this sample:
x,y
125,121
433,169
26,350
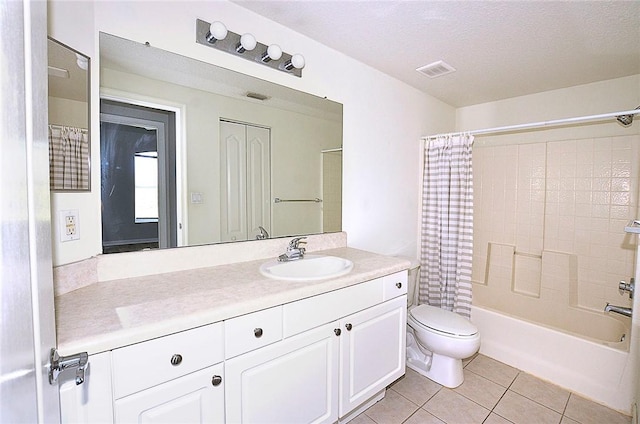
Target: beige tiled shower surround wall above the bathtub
x,y
567,201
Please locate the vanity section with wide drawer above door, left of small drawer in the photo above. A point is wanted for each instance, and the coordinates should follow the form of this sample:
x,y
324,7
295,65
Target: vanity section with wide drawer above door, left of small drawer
x,y
176,378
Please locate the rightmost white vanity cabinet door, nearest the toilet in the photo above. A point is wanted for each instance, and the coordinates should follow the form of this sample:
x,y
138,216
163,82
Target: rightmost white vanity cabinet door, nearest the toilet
x,y
372,351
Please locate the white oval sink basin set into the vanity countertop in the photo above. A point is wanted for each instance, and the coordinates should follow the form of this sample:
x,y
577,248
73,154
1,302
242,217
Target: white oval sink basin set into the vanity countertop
x,y
312,267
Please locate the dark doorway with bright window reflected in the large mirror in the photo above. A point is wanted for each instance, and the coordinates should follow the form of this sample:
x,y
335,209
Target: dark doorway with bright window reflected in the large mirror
x,y
137,181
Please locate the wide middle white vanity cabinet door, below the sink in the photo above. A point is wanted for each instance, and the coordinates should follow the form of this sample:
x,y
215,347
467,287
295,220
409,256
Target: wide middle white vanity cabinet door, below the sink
x,y
292,381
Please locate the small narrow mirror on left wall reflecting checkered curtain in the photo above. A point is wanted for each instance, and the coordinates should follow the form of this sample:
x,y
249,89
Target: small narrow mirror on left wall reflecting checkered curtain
x,y
69,147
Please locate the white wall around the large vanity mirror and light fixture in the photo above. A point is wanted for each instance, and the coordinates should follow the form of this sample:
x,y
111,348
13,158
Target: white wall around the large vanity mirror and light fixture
x,y
383,118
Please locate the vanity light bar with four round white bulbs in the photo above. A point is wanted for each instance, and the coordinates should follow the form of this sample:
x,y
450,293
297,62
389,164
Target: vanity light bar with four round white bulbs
x,y
217,36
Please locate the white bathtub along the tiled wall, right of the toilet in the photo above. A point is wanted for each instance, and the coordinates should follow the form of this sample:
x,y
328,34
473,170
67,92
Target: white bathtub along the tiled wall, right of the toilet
x,y
597,366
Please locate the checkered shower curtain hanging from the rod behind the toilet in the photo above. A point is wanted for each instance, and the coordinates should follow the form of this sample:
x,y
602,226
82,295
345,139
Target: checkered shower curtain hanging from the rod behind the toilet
x,y
447,224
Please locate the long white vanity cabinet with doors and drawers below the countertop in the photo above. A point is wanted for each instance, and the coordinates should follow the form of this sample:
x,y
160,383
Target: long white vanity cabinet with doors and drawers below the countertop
x,y
322,359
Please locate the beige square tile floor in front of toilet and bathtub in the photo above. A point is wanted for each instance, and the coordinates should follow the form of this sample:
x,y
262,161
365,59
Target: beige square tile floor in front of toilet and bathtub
x,y
492,393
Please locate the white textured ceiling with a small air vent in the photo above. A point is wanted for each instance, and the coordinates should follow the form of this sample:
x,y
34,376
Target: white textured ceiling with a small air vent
x,y
500,49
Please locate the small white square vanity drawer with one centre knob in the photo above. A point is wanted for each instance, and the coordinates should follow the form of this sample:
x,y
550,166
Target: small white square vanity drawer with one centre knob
x,y
251,331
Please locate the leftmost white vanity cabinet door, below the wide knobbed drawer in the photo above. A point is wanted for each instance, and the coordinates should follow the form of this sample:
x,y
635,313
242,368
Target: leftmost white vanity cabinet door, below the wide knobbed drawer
x,y
190,399
